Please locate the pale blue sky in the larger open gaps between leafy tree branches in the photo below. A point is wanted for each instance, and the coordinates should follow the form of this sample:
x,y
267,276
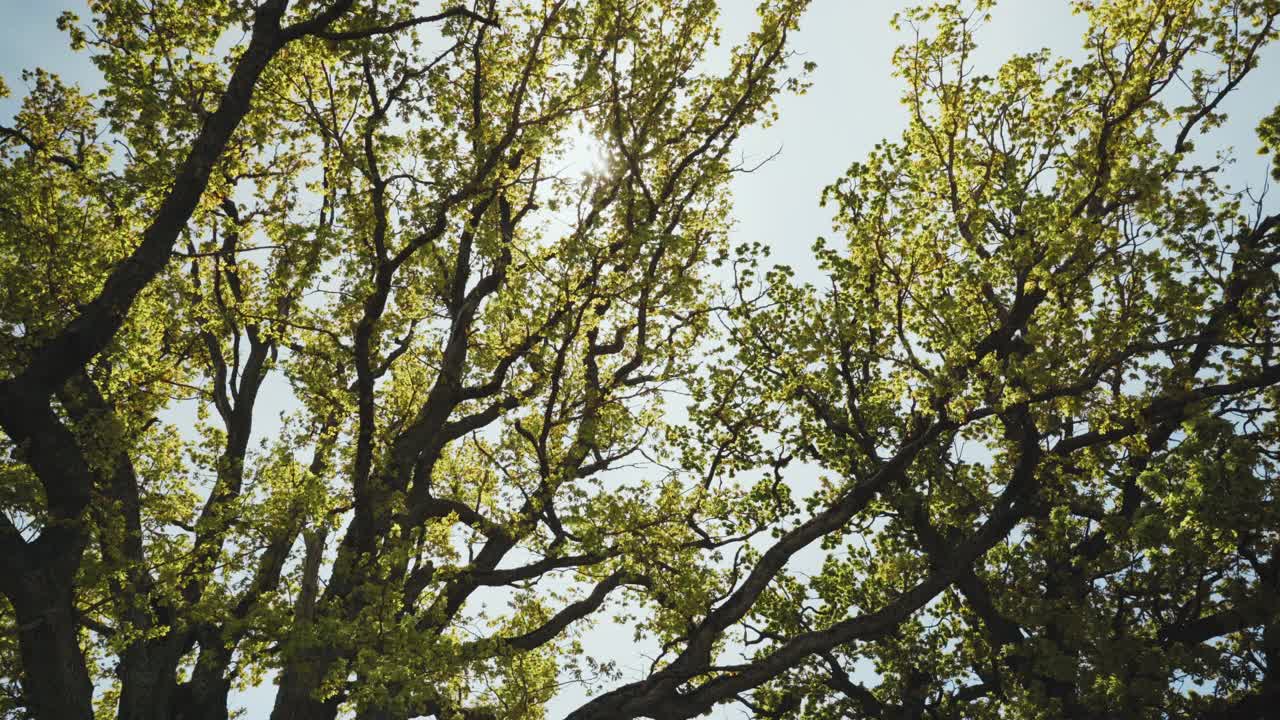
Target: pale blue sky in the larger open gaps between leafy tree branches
x,y
852,106
